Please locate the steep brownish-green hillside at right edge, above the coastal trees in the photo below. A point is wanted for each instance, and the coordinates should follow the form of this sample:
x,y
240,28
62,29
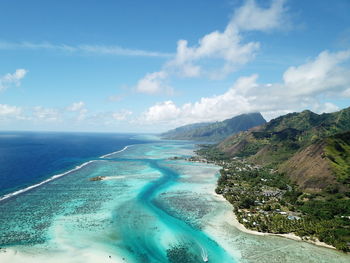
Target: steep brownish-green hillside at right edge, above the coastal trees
x,y
323,163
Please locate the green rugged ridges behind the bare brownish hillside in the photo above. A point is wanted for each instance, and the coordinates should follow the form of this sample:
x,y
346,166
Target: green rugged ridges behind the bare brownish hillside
x,y
277,140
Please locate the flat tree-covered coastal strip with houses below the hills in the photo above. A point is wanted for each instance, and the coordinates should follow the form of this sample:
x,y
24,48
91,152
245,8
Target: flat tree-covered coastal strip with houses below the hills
x,y
267,201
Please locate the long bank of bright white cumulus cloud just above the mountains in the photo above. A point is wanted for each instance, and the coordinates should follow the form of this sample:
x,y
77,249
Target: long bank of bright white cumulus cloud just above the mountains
x,y
305,86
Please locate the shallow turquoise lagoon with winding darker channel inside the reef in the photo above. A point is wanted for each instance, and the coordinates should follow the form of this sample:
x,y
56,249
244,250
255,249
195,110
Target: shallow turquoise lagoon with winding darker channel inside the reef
x,y
149,208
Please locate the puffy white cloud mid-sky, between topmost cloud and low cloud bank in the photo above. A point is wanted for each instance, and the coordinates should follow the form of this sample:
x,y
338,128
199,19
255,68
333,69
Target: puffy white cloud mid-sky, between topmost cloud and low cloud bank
x,y
224,46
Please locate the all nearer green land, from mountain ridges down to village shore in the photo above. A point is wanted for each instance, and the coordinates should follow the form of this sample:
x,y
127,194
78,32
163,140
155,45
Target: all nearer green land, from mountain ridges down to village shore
x,y
270,176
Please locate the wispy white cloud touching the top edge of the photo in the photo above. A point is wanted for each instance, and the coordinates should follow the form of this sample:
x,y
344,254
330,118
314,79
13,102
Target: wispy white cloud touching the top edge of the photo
x,y
252,17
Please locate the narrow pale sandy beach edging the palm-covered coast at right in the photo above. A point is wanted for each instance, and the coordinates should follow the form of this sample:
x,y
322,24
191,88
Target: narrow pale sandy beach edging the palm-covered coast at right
x,y
231,217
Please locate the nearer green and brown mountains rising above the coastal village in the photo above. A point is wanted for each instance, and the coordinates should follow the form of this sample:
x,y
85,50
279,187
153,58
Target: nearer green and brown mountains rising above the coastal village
x,y
312,150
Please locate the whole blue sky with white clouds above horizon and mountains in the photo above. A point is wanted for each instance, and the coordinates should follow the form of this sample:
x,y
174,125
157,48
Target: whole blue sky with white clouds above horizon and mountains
x,y
149,66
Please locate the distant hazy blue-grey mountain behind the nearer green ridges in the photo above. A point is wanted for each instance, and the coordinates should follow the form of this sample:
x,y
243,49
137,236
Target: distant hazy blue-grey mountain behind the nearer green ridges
x,y
215,131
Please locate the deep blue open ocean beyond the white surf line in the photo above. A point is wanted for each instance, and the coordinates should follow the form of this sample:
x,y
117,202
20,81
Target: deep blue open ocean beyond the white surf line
x,y
27,158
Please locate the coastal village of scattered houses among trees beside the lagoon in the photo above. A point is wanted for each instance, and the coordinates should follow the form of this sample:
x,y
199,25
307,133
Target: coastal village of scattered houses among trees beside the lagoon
x,y
257,200
